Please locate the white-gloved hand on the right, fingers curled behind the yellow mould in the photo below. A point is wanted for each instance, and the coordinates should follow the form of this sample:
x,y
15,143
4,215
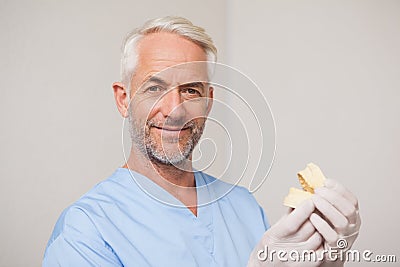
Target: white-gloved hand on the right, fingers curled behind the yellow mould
x,y
340,220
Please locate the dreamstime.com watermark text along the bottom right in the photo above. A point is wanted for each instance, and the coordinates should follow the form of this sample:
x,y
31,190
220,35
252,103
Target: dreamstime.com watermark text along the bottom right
x,y
338,253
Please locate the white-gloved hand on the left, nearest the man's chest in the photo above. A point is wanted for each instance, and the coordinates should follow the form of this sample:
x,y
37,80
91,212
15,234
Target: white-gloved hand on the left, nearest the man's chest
x,y
294,231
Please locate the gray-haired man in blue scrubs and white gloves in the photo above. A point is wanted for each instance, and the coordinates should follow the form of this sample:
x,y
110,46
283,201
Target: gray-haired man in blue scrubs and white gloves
x,y
156,210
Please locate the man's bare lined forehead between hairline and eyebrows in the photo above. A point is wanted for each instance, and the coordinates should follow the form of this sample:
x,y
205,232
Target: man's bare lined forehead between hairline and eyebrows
x,y
166,54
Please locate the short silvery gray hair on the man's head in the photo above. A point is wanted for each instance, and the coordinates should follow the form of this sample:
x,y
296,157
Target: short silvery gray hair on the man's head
x,y
177,25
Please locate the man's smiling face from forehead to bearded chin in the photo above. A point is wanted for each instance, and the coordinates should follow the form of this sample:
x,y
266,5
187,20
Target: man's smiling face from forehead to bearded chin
x,y
169,93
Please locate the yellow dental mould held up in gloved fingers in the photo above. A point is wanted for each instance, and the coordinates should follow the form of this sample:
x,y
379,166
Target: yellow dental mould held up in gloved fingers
x,y
310,178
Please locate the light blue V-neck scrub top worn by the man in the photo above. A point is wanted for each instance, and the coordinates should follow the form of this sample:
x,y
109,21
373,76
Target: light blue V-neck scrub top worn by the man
x,y
128,220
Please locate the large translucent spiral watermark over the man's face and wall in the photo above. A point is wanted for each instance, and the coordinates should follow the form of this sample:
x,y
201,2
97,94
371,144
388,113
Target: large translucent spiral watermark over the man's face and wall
x,y
217,120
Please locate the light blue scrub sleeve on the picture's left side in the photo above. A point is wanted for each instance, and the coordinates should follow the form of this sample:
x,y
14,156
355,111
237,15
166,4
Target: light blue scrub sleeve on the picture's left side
x,y
76,242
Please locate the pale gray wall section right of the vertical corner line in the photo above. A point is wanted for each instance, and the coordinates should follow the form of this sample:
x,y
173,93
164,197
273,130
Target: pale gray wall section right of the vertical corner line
x,y
331,72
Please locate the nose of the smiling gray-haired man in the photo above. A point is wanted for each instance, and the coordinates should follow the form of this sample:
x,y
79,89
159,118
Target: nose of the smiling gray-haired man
x,y
171,104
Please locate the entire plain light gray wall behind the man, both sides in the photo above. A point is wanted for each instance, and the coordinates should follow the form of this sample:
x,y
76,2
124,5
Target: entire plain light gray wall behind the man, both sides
x,y
330,70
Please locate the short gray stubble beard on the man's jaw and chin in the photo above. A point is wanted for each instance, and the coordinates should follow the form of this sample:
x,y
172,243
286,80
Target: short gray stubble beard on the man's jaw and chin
x,y
141,138
